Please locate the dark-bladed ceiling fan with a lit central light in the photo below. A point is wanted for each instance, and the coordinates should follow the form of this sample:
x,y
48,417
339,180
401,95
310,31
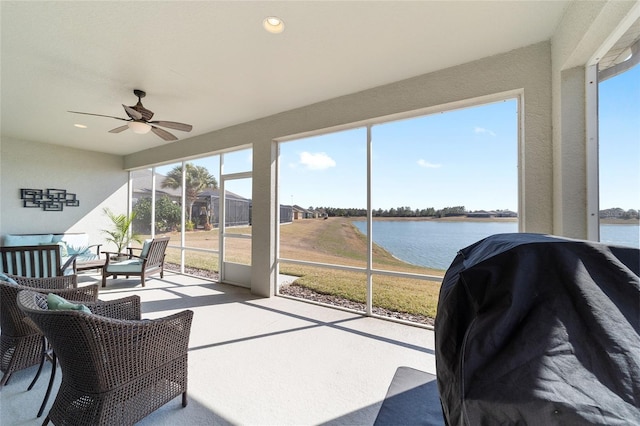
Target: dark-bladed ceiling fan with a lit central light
x,y
138,120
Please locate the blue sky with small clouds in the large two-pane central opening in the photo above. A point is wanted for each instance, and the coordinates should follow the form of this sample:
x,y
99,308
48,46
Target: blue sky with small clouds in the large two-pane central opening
x,y
465,157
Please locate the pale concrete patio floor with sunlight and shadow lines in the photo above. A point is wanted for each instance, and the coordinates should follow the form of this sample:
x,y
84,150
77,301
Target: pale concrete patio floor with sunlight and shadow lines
x,y
257,361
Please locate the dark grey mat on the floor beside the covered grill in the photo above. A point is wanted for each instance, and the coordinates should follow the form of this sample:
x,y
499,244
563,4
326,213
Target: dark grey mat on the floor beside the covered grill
x,y
412,399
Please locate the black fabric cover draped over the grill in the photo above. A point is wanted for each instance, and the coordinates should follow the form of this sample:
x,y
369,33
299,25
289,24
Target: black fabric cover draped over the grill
x,y
540,330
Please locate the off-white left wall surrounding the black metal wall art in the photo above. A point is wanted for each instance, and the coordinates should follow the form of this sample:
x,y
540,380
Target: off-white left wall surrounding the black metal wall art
x,y
97,179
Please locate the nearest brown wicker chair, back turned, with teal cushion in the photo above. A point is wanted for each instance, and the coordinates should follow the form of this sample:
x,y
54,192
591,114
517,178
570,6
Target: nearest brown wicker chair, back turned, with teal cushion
x,y
116,368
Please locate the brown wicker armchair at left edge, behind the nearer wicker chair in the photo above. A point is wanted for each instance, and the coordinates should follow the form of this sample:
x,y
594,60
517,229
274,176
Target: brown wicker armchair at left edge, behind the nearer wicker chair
x,y
21,344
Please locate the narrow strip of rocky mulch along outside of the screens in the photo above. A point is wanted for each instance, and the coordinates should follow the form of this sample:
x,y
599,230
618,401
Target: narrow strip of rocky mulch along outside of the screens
x,y
295,290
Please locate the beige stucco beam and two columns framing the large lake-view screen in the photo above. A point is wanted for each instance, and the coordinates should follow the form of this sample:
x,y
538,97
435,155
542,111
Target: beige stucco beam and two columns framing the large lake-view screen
x,y
525,71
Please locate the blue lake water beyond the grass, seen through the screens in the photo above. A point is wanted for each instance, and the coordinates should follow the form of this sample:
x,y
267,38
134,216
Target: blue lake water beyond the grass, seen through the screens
x,y
434,244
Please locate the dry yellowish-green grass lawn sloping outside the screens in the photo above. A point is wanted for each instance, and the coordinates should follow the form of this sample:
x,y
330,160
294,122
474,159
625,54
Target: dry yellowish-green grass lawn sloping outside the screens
x,y
331,241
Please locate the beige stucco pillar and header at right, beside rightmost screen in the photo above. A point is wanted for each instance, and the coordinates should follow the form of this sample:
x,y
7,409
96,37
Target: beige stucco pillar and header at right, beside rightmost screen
x,y
586,32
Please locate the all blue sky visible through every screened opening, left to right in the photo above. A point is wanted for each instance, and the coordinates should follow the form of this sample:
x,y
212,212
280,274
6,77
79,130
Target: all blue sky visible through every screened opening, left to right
x,y
465,157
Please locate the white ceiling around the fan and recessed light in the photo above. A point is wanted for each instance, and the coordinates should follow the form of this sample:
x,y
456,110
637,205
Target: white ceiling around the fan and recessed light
x,y
212,65
